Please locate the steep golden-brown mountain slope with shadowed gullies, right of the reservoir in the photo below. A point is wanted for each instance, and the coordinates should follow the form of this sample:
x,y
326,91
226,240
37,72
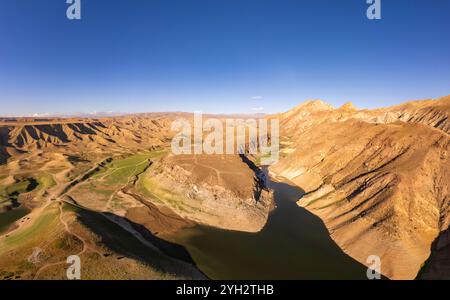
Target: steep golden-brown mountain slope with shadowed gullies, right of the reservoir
x,y
379,179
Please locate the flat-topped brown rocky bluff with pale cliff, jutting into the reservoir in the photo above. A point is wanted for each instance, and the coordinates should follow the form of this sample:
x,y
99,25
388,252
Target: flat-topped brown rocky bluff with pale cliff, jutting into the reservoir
x,y
223,191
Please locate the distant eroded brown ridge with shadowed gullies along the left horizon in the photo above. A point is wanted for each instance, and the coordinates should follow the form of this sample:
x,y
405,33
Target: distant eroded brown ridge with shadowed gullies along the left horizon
x,y
120,134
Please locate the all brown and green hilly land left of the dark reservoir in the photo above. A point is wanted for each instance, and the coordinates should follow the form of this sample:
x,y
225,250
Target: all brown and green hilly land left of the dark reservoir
x,y
109,191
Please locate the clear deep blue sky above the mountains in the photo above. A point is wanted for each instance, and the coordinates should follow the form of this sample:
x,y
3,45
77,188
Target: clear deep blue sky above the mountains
x,y
219,56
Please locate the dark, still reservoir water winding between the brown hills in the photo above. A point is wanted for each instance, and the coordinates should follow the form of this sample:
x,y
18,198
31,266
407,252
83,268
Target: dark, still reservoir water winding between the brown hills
x,y
294,244
